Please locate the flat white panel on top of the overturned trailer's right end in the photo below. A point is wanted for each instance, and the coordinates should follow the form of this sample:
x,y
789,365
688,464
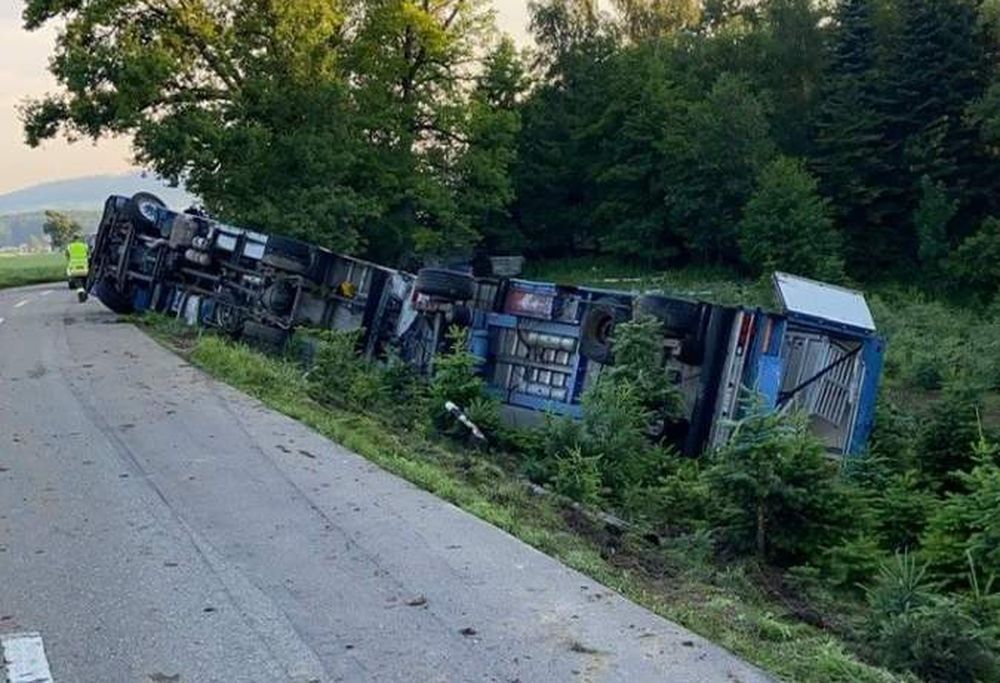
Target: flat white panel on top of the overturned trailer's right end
x,y
799,295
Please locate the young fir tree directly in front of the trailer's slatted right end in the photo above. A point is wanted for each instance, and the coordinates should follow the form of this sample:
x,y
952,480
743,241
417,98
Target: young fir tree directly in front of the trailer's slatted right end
x,y
776,494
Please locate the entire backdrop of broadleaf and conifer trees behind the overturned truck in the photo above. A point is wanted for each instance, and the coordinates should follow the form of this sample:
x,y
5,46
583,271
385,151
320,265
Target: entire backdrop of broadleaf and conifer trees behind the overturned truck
x,y
409,129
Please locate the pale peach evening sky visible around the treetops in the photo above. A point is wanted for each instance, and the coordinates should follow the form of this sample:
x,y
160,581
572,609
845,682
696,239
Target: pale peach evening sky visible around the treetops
x,y
23,74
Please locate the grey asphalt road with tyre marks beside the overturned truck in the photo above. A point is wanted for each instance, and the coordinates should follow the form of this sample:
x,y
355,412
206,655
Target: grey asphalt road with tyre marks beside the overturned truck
x,y
158,526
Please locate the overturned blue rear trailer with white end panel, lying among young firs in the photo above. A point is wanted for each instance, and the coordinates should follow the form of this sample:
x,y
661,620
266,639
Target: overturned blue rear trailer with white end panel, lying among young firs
x,y
542,346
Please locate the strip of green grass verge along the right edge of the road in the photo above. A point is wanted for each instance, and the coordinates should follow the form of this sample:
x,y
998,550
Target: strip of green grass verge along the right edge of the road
x,y
725,605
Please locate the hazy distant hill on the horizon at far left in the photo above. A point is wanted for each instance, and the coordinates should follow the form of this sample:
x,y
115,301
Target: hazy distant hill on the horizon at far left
x,y
88,194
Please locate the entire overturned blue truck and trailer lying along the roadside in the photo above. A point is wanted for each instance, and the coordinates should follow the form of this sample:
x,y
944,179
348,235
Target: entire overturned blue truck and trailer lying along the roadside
x,y
540,345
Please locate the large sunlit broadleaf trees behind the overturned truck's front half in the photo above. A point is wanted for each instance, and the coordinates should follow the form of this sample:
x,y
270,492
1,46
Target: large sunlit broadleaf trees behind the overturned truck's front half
x,y
347,123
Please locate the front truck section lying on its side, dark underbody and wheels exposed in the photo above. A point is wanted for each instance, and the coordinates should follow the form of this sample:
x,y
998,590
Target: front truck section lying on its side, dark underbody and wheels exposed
x,y
242,282
